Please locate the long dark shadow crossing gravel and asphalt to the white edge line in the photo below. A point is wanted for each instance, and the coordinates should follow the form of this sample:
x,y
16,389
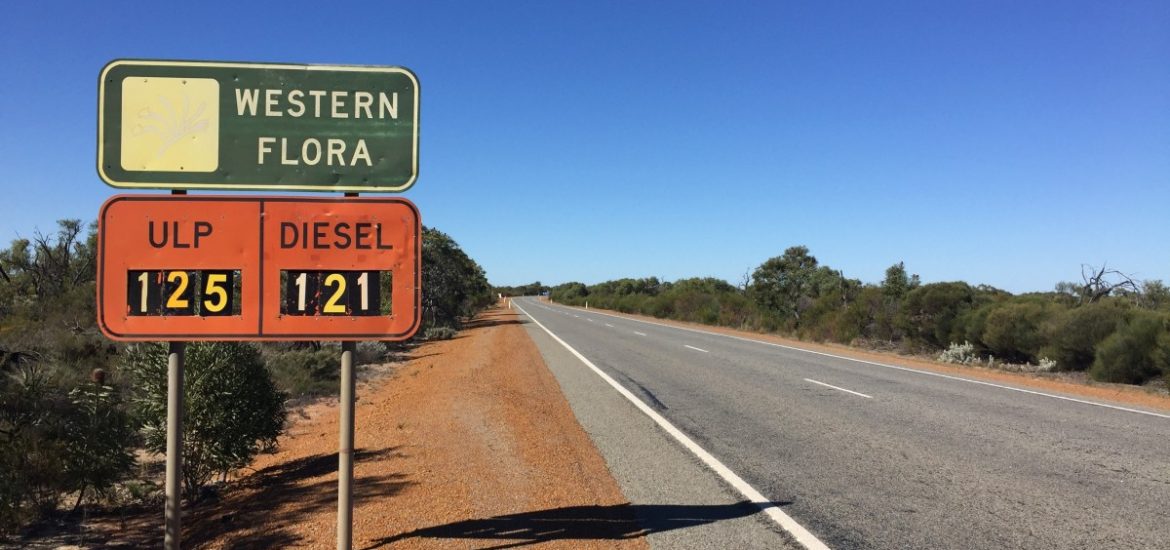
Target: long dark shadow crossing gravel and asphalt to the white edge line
x,y
582,522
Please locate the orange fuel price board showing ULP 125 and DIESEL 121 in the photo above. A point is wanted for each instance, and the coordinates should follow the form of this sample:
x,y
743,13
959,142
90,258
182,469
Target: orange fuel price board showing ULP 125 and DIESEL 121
x,y
258,269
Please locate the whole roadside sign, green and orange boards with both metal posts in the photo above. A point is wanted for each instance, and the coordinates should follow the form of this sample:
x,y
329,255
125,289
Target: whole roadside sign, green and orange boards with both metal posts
x,y
258,269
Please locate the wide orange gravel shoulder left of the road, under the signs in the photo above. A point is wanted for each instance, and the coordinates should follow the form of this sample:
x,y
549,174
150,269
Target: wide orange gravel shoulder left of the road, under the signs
x,y
470,445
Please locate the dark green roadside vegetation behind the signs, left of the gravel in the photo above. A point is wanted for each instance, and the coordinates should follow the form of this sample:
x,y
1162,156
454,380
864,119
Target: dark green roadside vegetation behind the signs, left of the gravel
x,y
78,412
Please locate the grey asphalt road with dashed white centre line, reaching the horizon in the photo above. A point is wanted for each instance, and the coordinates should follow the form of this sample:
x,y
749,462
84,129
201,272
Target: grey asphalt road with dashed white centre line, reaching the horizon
x,y
868,456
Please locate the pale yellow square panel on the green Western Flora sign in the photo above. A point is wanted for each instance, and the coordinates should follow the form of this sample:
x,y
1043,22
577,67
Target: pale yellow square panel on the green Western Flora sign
x,y
170,125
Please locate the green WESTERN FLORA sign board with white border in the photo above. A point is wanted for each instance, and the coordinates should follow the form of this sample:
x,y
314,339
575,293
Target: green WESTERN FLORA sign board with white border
x,y
171,125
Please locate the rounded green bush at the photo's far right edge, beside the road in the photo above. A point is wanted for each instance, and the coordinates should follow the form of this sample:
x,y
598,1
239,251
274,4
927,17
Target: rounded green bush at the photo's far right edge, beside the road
x,y
1135,353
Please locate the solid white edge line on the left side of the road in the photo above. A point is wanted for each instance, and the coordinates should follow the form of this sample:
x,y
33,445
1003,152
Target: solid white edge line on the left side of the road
x,y
768,507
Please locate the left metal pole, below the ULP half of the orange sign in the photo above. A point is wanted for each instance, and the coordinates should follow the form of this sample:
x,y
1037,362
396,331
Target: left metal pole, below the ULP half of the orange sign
x,y
174,538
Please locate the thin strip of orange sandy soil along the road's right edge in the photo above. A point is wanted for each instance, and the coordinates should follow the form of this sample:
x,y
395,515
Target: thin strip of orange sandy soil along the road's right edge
x,y
1063,383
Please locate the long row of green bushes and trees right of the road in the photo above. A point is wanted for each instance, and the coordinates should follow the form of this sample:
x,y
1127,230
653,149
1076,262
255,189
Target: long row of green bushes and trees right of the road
x,y
1112,327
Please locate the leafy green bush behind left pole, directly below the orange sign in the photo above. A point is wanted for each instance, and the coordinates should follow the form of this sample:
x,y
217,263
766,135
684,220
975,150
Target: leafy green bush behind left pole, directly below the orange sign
x,y
232,411
